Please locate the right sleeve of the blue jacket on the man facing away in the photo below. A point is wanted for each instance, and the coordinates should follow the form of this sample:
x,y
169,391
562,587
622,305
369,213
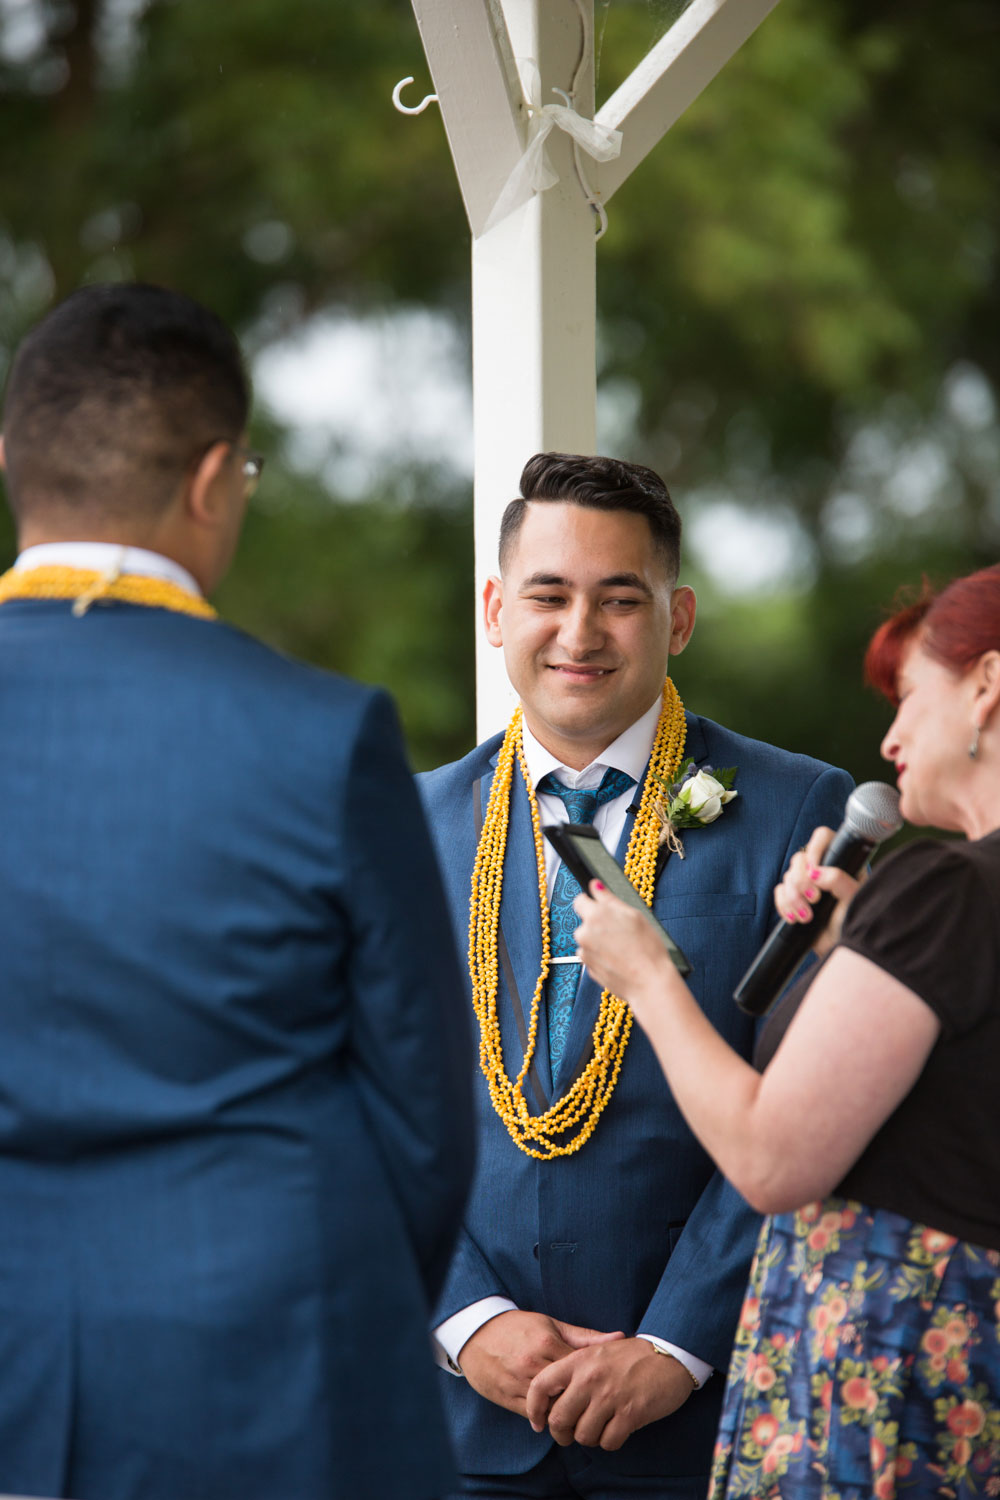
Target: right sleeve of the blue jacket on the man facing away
x,y
410,1025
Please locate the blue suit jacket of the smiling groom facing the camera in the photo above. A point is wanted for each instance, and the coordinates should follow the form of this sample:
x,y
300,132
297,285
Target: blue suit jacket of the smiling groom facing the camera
x,y
636,1231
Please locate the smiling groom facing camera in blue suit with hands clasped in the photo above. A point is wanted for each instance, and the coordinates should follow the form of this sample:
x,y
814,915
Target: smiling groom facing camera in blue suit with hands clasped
x,y
599,1234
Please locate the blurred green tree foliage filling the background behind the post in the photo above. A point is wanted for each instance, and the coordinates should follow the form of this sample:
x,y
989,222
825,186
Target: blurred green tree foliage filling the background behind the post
x,y
798,299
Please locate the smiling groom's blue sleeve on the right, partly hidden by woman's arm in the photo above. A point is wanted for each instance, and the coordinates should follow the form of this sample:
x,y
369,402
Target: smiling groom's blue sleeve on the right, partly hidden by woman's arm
x,y
702,1289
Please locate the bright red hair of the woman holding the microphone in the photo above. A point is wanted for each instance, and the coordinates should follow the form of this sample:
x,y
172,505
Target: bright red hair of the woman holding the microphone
x,y
954,626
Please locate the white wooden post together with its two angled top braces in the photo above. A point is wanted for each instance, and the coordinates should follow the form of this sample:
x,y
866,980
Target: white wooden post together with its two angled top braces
x,y
534,292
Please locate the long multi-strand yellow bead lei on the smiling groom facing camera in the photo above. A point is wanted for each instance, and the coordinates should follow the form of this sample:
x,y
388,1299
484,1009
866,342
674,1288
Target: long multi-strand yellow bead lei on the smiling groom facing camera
x,y
540,1135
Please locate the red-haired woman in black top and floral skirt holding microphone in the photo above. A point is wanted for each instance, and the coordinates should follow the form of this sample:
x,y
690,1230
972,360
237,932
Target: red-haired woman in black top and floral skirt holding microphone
x,y
869,1354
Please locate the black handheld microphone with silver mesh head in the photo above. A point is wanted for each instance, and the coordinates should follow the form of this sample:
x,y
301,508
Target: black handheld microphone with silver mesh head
x,y
872,815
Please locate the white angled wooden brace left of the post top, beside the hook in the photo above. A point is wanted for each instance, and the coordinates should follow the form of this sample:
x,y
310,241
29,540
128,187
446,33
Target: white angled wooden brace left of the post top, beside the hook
x,y
479,92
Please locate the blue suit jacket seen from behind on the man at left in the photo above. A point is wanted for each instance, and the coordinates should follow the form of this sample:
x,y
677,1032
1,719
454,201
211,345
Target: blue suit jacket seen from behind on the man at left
x,y
235,1097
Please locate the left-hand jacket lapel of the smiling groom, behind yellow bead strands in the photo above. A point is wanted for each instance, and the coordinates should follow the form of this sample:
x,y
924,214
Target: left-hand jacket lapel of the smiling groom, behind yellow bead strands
x,y
519,946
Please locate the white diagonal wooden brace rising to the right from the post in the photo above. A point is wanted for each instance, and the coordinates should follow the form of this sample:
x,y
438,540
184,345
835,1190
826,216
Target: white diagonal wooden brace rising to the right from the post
x,y
671,77
